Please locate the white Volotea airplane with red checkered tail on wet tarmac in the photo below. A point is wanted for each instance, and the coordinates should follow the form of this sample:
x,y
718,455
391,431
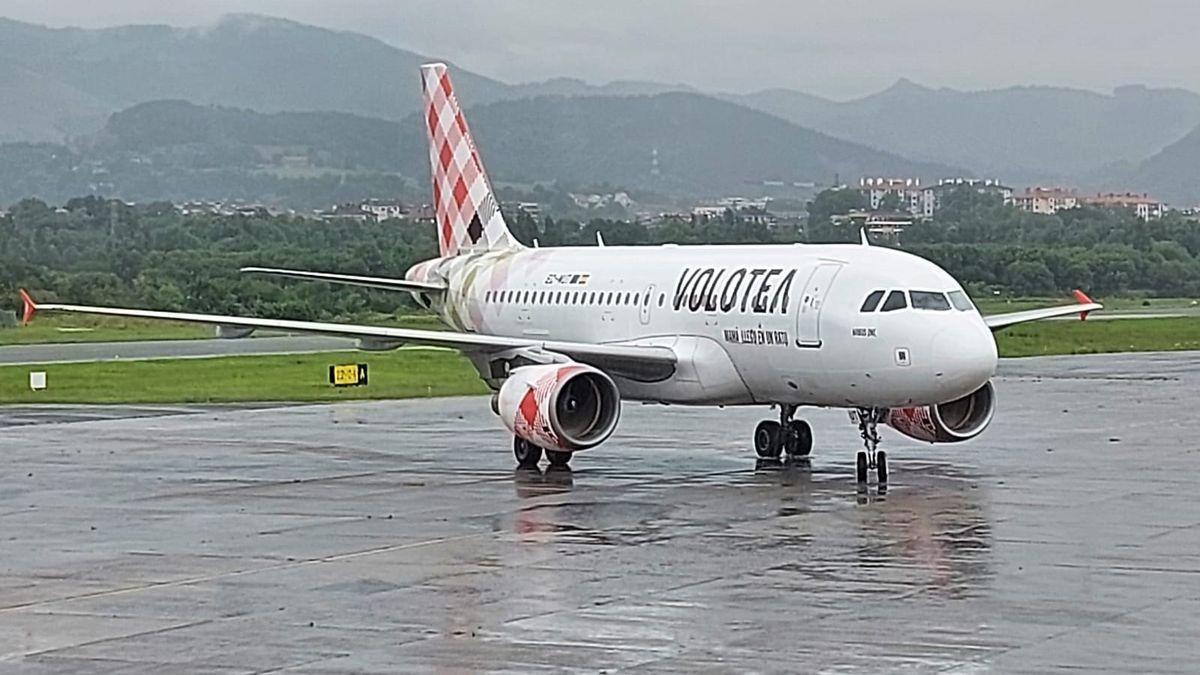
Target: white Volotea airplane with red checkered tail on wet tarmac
x,y
565,336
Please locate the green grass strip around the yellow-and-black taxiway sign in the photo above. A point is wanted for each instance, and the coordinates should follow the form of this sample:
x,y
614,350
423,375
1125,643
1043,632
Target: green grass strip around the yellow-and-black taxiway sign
x,y
404,374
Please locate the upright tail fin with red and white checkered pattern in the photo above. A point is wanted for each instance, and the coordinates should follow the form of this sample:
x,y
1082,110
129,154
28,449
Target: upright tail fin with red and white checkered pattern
x,y
469,218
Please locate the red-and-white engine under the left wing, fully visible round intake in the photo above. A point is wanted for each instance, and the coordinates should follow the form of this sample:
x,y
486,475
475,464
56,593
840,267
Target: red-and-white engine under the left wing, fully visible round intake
x,y
567,407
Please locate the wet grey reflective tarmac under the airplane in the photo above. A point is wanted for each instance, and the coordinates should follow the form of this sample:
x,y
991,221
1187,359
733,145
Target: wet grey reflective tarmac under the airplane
x,y
398,536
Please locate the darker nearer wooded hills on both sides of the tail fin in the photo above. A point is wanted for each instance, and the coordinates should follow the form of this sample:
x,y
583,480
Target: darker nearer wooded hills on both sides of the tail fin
x,y
179,151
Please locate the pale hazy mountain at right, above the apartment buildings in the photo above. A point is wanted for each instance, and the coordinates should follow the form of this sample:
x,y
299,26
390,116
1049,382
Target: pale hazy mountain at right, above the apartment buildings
x,y
1021,134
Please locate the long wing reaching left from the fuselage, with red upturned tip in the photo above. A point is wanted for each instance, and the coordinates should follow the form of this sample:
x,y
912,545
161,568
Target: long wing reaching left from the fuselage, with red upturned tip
x,y
645,363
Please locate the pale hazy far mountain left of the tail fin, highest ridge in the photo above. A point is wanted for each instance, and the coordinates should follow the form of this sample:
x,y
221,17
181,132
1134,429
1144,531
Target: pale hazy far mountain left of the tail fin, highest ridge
x,y
57,77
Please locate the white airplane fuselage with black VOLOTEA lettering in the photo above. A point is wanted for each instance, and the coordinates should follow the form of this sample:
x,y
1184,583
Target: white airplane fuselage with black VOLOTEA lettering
x,y
751,325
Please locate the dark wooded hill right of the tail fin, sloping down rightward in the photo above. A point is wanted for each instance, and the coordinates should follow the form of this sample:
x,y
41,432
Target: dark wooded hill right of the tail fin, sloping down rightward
x,y
703,145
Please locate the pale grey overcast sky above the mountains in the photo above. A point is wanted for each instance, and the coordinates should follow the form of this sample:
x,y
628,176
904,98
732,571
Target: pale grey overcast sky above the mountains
x,y
839,49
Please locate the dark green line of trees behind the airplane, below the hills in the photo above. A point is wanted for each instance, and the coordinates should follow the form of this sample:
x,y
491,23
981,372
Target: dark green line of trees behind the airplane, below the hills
x,y
100,252
